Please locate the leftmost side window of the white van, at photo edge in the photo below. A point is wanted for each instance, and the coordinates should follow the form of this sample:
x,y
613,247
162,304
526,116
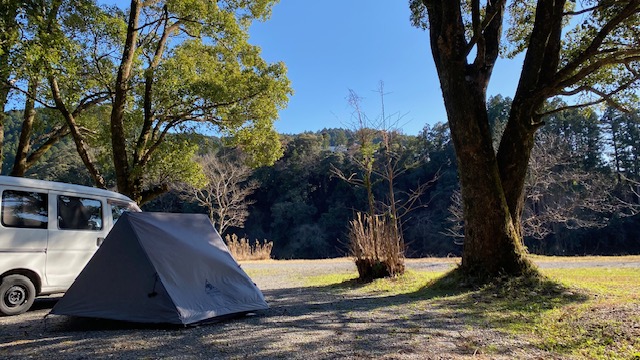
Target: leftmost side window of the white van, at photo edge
x,y
25,209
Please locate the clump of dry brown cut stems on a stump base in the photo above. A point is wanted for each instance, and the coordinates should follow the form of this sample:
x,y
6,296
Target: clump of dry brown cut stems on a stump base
x,y
377,250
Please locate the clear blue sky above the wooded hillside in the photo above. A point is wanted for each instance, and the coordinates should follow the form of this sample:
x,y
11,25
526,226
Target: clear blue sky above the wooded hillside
x,y
332,46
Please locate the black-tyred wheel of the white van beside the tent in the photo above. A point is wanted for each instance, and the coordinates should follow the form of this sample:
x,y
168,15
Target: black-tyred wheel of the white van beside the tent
x,y
17,293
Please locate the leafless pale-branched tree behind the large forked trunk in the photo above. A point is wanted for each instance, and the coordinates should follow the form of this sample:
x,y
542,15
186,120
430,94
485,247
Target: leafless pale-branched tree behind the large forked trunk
x,y
560,193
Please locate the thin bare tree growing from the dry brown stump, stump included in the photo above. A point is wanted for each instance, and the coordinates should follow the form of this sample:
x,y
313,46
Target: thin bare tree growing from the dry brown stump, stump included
x,y
376,238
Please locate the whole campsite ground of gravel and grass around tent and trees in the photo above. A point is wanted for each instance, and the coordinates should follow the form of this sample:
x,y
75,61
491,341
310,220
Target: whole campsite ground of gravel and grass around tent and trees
x,y
316,314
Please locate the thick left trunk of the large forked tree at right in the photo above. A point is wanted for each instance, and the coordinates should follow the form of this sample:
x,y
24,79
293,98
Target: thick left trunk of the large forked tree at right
x,y
492,244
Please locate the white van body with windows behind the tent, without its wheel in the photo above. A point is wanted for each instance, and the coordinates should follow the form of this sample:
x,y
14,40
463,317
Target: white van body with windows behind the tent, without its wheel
x,y
55,253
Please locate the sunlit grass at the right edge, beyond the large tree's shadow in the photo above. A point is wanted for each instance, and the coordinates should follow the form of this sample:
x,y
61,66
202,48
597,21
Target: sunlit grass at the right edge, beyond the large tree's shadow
x,y
607,326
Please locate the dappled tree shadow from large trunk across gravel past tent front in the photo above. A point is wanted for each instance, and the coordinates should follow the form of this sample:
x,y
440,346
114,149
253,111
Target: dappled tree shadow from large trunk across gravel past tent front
x,y
437,321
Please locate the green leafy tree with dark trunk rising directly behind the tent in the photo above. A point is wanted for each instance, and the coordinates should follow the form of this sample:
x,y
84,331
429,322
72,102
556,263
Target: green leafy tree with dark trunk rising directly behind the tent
x,y
187,64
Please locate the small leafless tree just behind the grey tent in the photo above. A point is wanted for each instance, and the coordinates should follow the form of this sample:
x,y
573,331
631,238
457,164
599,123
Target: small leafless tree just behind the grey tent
x,y
226,191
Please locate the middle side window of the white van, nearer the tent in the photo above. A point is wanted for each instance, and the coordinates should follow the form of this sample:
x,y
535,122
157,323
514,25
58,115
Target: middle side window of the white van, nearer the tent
x,y
75,213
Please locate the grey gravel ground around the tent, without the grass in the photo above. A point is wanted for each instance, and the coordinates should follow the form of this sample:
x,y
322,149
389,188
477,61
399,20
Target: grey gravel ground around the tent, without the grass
x,y
302,323
